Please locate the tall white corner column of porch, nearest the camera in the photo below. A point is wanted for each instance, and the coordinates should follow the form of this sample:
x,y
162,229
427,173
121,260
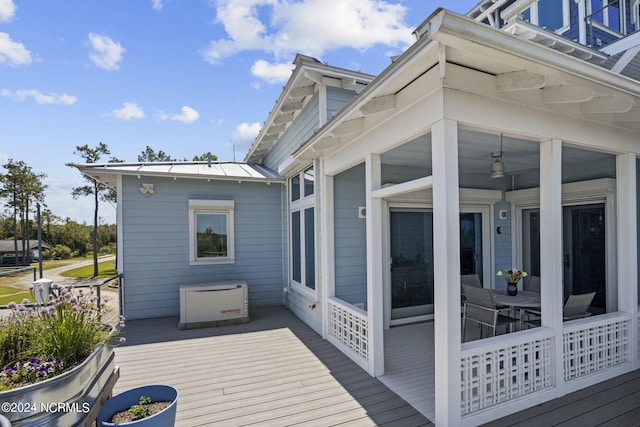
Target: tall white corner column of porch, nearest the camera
x,y
446,260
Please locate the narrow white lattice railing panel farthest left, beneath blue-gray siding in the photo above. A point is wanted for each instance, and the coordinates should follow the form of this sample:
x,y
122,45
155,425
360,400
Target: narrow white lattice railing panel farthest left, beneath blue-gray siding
x,y
348,329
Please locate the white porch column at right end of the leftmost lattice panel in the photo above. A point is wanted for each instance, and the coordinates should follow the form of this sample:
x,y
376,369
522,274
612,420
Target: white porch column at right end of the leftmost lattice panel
x,y
375,266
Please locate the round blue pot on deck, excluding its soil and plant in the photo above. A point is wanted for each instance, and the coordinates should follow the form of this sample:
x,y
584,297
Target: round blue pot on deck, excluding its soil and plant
x,y
123,401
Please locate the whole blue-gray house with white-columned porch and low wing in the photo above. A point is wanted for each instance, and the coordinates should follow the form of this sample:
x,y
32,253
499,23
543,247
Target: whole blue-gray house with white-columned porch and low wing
x,y
507,137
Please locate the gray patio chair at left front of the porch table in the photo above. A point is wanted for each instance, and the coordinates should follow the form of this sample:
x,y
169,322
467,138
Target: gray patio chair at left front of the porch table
x,y
480,308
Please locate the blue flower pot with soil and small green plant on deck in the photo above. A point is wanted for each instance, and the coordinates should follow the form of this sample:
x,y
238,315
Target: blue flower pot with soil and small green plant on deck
x,y
135,407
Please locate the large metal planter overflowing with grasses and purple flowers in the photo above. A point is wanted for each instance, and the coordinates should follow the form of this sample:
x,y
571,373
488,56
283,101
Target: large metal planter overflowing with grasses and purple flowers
x,y
56,353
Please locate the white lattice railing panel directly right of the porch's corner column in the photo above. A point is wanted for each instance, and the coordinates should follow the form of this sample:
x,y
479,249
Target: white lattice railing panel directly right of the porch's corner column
x,y
505,369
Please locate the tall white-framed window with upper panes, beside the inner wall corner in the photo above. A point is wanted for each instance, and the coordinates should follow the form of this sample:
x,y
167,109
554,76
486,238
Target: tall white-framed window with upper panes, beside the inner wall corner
x,y
302,229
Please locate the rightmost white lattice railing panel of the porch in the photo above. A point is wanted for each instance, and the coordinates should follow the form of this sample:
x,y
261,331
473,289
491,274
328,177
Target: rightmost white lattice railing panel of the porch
x,y
594,344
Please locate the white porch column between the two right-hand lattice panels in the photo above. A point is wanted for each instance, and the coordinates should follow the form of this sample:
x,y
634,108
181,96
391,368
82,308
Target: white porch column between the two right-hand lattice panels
x,y
551,268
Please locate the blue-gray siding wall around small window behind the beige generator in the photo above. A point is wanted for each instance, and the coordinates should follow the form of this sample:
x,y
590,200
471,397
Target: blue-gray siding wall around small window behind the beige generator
x,y
156,242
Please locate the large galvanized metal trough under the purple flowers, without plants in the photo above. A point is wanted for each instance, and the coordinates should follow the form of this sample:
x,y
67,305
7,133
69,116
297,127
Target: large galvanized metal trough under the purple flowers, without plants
x,y
67,399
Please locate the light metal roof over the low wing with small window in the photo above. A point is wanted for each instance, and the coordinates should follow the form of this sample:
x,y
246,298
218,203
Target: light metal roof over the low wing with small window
x,y
192,170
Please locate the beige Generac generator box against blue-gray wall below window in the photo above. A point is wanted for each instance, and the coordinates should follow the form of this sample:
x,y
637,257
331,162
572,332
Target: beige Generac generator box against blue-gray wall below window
x,y
214,304
